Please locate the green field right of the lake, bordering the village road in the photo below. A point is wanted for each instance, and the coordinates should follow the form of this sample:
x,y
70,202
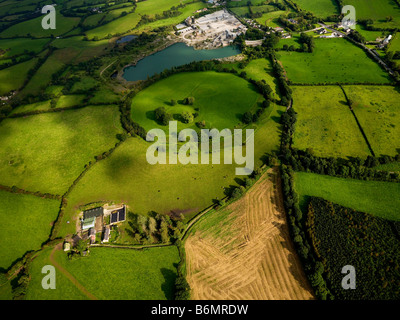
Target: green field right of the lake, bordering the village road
x,y
323,65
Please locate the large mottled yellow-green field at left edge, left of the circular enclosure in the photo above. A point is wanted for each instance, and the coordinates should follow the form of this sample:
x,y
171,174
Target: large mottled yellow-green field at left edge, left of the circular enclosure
x,y
47,152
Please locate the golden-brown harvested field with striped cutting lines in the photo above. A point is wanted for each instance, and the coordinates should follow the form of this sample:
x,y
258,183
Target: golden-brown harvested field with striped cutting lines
x,y
248,254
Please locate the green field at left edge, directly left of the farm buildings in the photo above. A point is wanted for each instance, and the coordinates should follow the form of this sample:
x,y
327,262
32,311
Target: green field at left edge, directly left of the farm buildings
x,y
29,226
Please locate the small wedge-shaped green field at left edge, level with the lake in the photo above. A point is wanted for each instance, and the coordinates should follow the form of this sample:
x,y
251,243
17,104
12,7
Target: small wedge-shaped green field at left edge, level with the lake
x,y
14,77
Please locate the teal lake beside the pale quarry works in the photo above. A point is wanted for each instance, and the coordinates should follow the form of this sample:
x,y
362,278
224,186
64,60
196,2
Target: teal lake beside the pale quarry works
x,y
176,55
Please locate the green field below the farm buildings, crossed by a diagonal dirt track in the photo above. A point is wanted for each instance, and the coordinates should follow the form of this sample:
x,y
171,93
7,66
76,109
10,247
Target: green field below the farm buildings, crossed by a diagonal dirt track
x,y
111,274
